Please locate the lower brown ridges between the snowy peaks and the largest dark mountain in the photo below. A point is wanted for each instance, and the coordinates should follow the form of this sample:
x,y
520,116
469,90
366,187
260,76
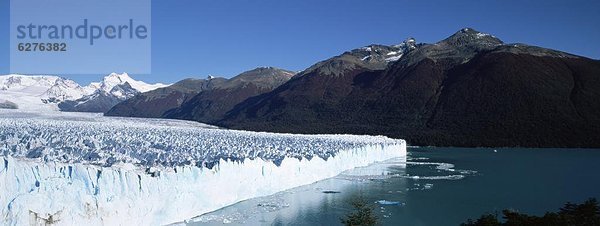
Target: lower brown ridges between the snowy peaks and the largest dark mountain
x,y
205,100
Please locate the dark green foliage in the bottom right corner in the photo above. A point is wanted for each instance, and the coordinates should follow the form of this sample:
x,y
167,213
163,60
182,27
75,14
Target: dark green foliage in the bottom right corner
x,y
586,214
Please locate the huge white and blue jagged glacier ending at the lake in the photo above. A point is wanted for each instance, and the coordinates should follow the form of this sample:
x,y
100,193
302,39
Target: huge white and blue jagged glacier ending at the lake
x,y
77,168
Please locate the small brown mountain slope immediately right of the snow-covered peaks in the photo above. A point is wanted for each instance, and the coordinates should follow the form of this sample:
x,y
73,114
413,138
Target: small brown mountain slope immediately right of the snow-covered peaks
x,y
155,103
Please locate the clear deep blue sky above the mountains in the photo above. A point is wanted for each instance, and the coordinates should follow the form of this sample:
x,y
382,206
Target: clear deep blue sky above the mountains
x,y
195,38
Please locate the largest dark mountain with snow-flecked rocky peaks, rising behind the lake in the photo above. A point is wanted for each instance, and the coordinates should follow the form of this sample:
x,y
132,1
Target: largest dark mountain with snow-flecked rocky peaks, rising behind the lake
x,y
470,89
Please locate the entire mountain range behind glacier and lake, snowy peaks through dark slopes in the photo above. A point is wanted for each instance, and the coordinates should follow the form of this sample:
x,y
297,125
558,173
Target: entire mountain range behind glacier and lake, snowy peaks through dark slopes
x,y
470,89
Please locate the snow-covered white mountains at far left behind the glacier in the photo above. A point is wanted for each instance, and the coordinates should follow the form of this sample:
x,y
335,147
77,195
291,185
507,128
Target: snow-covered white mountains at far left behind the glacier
x,y
53,93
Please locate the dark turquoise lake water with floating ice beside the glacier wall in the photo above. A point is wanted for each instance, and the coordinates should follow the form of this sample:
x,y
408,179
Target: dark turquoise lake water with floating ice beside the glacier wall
x,y
432,186
